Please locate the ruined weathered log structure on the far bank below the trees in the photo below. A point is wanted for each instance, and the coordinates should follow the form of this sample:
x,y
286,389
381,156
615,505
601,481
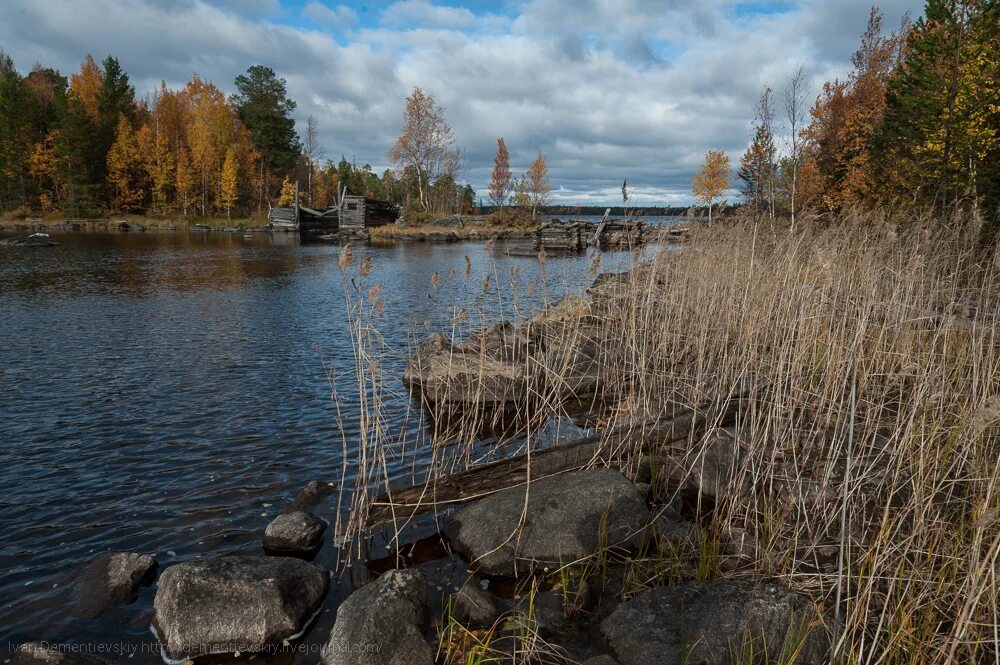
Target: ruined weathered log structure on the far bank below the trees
x,y
352,215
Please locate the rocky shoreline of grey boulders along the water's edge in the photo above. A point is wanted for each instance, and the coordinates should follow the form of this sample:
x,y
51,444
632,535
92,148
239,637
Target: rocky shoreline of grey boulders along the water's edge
x,y
598,563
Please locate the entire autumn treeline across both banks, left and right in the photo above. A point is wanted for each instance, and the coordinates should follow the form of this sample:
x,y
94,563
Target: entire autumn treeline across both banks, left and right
x,y
916,124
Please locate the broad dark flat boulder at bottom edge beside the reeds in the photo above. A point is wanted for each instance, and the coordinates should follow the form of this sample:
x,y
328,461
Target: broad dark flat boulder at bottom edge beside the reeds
x,y
721,621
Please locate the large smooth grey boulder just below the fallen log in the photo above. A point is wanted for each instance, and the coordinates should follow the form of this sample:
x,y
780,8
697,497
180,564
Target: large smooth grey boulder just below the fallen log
x,y
565,518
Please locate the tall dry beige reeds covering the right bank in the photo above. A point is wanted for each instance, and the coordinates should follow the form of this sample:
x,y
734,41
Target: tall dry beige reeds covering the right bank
x,y
870,443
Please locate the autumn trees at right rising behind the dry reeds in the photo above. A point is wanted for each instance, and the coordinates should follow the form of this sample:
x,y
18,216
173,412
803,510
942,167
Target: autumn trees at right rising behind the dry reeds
x,y
916,125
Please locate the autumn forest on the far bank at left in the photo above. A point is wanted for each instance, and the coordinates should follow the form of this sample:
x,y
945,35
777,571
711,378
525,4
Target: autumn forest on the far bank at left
x,y
86,145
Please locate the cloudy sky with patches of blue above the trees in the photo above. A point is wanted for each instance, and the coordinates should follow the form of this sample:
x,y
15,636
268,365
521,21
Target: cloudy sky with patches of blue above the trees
x,y
607,90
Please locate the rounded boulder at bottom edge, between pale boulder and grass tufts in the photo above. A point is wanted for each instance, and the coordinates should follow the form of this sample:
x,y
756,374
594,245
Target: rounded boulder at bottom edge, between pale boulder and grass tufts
x,y
382,624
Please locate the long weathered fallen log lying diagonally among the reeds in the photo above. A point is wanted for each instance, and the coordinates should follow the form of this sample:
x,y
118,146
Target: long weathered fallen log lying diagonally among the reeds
x,y
399,506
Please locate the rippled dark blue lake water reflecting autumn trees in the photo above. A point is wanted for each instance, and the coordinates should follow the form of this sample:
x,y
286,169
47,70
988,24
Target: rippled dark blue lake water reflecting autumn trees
x,y
169,393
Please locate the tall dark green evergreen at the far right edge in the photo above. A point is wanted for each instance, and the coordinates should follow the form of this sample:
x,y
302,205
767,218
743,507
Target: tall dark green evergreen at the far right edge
x,y
939,142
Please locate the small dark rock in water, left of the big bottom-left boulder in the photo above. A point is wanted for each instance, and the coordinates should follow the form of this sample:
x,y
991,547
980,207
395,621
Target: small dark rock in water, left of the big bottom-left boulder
x,y
111,579
